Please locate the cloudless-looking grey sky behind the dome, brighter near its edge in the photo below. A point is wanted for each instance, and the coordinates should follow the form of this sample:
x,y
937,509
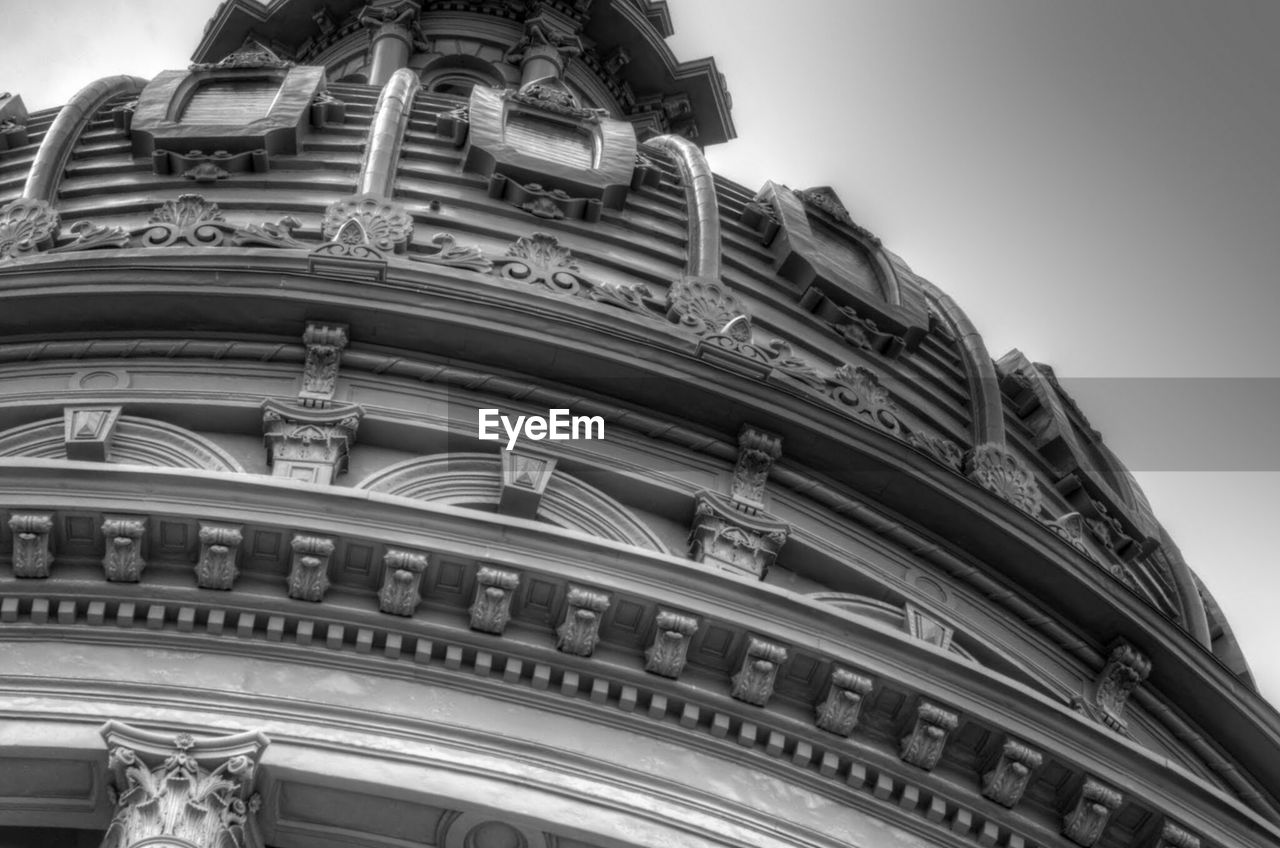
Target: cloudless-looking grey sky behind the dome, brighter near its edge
x,y
1095,184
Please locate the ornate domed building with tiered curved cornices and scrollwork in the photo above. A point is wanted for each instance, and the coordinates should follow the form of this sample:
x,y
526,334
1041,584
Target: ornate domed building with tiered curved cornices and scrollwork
x,y
408,440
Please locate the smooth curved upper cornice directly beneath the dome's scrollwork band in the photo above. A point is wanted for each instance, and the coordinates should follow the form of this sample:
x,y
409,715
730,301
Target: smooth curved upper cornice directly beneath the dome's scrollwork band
x,y
918,501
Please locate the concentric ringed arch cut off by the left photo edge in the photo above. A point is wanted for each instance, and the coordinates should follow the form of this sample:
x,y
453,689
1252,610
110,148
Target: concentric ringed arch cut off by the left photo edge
x,y
136,441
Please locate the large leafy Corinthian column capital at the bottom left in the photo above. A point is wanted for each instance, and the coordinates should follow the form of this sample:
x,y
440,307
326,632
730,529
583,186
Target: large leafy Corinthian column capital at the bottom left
x,y
179,791
